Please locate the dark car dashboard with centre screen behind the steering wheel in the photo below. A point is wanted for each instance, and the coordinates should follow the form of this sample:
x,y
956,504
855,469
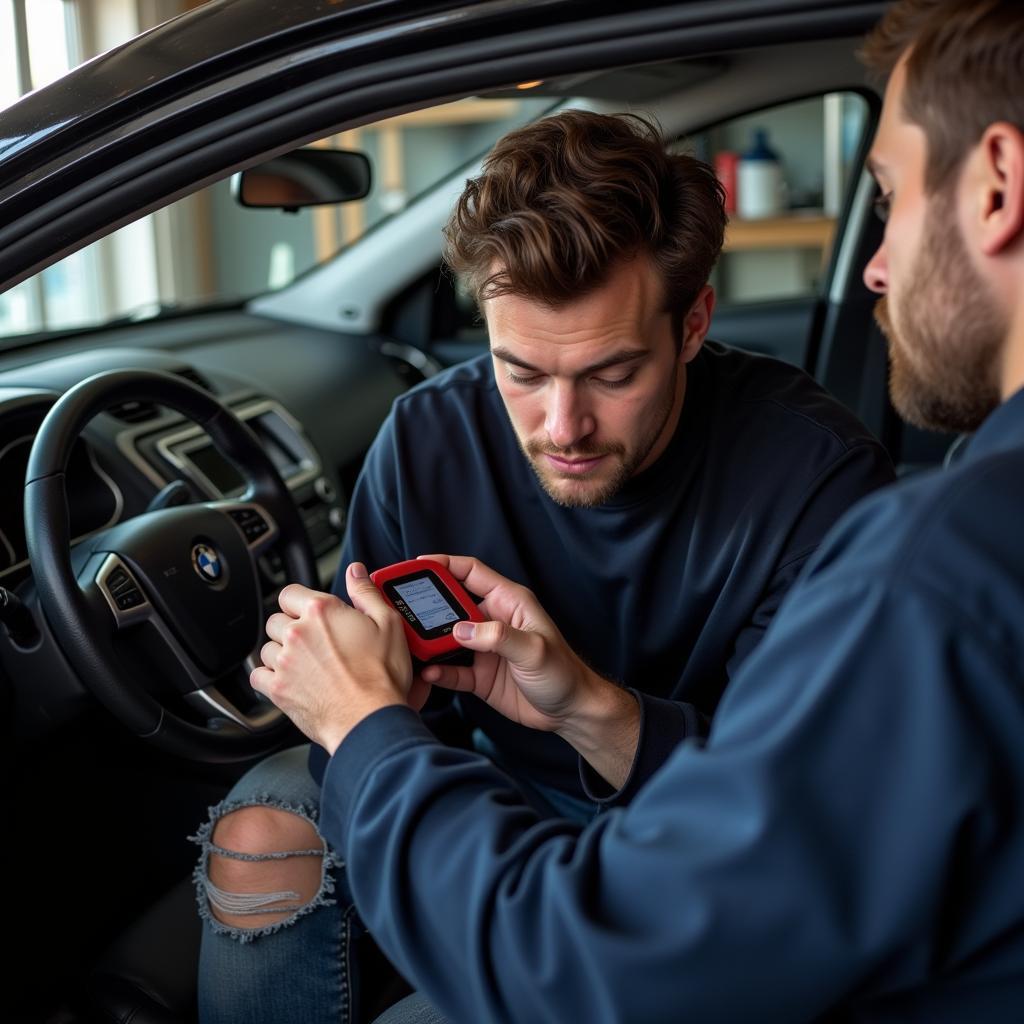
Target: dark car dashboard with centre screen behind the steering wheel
x,y
314,399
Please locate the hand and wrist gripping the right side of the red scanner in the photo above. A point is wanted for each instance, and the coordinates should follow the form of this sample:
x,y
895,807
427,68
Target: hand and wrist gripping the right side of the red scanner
x,y
526,670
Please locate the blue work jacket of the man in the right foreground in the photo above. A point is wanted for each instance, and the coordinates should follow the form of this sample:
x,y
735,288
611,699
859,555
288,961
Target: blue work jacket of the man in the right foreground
x,y
848,844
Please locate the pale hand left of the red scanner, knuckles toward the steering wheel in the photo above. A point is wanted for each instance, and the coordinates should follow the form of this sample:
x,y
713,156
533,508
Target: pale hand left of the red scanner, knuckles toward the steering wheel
x,y
328,666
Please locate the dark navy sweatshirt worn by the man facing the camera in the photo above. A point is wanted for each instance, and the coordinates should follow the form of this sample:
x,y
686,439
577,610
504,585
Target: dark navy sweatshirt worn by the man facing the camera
x,y
668,587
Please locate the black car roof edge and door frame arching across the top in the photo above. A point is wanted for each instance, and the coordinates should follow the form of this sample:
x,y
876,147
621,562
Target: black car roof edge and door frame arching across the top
x,y
159,116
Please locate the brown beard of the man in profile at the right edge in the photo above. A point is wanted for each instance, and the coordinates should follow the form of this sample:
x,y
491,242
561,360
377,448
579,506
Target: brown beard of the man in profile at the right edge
x,y
946,332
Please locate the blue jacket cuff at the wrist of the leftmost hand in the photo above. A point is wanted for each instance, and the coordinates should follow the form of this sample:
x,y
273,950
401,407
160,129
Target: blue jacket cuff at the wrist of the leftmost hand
x,y
376,736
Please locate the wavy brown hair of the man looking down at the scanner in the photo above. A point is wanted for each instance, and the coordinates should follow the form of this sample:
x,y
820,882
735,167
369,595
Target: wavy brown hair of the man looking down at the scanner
x,y
563,200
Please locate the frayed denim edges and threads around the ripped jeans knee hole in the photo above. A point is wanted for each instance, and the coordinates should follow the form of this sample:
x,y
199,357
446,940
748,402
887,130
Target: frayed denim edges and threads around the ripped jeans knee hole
x,y
209,895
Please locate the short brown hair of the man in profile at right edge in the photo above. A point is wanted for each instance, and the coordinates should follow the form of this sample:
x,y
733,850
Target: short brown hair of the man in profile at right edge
x,y
963,72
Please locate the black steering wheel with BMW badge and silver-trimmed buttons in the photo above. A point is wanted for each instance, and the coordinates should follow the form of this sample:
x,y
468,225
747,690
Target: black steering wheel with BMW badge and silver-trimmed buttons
x,y
166,607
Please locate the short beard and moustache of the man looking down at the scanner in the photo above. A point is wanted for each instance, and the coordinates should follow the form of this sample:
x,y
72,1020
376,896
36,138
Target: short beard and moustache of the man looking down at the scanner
x,y
574,492
